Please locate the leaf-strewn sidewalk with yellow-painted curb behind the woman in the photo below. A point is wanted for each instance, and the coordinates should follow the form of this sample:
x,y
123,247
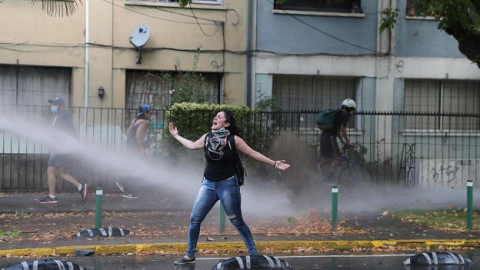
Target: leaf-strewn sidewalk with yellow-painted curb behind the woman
x,y
159,225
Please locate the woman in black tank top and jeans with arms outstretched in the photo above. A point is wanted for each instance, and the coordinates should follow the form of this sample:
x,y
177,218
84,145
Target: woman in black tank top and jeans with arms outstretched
x,y
220,181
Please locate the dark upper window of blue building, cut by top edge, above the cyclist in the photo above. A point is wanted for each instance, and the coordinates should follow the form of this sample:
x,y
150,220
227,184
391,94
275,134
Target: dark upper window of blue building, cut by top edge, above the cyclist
x,y
344,6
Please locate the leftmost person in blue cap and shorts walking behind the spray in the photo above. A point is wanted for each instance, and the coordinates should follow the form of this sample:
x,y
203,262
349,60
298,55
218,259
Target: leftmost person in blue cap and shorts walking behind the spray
x,y
63,122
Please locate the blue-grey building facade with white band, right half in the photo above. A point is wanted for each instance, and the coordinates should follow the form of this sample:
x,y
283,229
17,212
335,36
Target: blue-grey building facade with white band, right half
x,y
310,55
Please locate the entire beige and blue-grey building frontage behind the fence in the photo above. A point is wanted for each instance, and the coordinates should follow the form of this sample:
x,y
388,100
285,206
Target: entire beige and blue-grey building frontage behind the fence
x,y
304,55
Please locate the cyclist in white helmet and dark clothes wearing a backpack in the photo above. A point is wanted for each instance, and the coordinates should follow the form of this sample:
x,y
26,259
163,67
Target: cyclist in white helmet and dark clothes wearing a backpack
x,y
336,127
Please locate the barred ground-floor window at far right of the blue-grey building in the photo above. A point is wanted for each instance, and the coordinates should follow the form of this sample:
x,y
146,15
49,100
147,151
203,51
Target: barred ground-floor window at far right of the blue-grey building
x,y
443,98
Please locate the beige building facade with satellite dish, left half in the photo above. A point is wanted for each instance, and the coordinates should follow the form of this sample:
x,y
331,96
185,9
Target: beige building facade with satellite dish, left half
x,y
75,56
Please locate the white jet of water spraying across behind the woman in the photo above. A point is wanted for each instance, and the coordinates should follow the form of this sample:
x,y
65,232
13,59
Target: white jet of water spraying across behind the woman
x,y
183,180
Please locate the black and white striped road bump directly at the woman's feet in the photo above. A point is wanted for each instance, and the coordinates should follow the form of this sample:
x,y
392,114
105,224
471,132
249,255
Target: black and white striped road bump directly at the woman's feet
x,y
252,262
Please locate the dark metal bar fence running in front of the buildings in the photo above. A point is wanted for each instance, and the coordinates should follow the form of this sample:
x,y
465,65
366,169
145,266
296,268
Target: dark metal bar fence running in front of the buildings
x,y
400,148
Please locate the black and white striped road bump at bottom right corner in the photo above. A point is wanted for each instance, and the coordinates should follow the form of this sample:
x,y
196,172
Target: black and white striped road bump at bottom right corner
x,y
437,258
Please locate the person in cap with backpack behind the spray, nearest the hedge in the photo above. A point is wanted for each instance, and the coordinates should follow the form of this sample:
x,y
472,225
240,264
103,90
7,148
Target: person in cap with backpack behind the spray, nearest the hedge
x,y
137,140
